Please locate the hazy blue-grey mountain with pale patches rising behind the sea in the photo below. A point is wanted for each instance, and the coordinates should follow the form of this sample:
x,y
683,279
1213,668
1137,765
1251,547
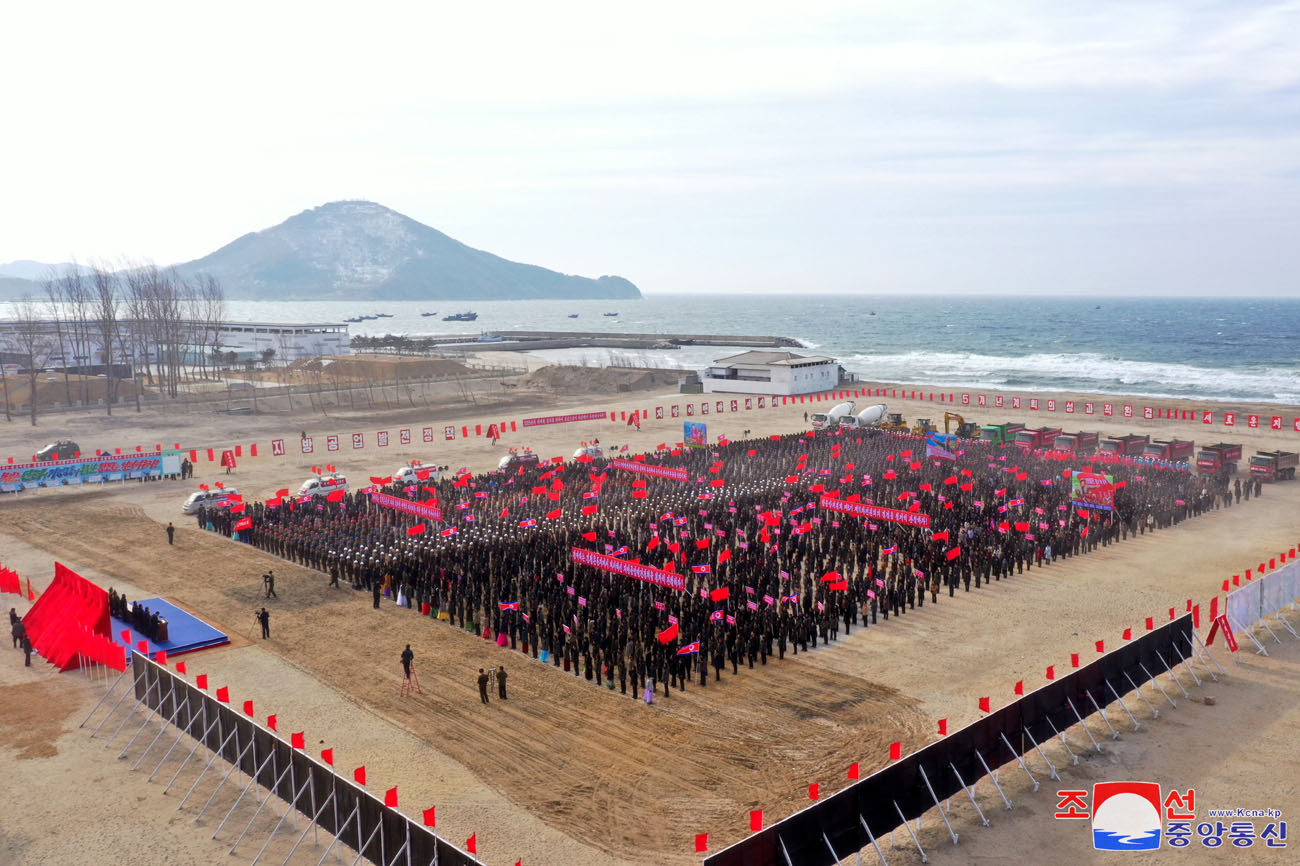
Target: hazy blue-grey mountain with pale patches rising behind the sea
x,y
365,250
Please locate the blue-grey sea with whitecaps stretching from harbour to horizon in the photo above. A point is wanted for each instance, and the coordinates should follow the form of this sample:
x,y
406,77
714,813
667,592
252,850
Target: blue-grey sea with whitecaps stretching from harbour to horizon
x,y
1221,349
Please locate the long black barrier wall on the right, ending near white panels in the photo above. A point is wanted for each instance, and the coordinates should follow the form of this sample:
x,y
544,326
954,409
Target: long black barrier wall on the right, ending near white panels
x,y
835,828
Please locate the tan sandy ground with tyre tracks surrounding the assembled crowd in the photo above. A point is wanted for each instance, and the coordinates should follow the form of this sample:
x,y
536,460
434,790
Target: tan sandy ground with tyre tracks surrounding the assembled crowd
x,y
566,773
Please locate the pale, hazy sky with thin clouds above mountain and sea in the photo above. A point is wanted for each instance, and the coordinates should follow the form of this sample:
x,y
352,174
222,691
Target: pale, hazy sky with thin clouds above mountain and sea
x,y
1136,148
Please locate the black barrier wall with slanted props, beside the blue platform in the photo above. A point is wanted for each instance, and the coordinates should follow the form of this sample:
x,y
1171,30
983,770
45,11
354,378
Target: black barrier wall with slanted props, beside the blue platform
x,y
340,807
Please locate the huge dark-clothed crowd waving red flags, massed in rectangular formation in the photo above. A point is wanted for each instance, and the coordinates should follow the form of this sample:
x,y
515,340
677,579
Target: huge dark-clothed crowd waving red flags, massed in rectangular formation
x,y
766,570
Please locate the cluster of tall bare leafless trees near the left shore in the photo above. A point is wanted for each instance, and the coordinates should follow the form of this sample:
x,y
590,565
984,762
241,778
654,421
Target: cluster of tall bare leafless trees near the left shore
x,y
94,319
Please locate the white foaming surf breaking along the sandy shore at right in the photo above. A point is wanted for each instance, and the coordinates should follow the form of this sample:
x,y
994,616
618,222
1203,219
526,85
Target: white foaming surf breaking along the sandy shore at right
x,y
1081,373
